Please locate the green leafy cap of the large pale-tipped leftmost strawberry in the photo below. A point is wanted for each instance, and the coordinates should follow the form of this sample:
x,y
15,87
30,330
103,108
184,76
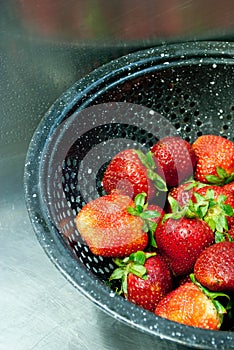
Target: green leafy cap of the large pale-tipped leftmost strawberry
x,y
140,209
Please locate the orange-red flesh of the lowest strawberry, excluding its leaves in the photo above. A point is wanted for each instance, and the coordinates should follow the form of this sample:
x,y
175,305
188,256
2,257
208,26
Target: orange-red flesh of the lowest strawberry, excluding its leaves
x,y
189,305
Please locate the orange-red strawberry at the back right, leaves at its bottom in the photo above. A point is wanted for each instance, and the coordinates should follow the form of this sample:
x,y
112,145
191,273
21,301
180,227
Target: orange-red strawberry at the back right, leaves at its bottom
x,y
215,159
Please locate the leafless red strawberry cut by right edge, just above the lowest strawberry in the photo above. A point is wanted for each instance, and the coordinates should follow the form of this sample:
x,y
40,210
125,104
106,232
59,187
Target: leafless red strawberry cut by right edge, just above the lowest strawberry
x,y
214,268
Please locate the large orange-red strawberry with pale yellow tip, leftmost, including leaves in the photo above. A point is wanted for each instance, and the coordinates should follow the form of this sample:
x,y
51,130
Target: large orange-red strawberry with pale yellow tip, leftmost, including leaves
x,y
115,226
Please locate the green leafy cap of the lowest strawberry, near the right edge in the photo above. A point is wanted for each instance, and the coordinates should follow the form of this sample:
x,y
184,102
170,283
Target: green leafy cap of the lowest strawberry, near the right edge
x,y
213,297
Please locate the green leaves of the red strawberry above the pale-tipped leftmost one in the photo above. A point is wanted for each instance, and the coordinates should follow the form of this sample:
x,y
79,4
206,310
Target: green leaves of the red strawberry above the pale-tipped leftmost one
x,y
148,162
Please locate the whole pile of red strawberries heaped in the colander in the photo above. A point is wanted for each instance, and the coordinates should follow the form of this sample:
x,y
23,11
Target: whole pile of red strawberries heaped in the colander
x,y
167,220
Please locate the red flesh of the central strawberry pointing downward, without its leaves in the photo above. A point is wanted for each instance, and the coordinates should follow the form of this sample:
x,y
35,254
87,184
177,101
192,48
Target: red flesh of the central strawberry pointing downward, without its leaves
x,y
181,241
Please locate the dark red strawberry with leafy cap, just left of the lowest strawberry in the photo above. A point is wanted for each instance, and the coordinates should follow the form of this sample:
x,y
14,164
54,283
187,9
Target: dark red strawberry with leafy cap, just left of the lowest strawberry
x,y
145,278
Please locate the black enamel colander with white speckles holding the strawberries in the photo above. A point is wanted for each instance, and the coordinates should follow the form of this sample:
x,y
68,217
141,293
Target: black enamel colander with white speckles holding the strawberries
x,y
185,89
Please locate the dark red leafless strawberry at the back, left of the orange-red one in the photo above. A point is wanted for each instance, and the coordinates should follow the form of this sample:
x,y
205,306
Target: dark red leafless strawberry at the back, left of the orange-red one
x,y
174,158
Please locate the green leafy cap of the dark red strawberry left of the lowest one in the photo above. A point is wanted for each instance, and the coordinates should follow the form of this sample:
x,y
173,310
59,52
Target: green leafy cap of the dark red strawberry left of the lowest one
x,y
134,263
